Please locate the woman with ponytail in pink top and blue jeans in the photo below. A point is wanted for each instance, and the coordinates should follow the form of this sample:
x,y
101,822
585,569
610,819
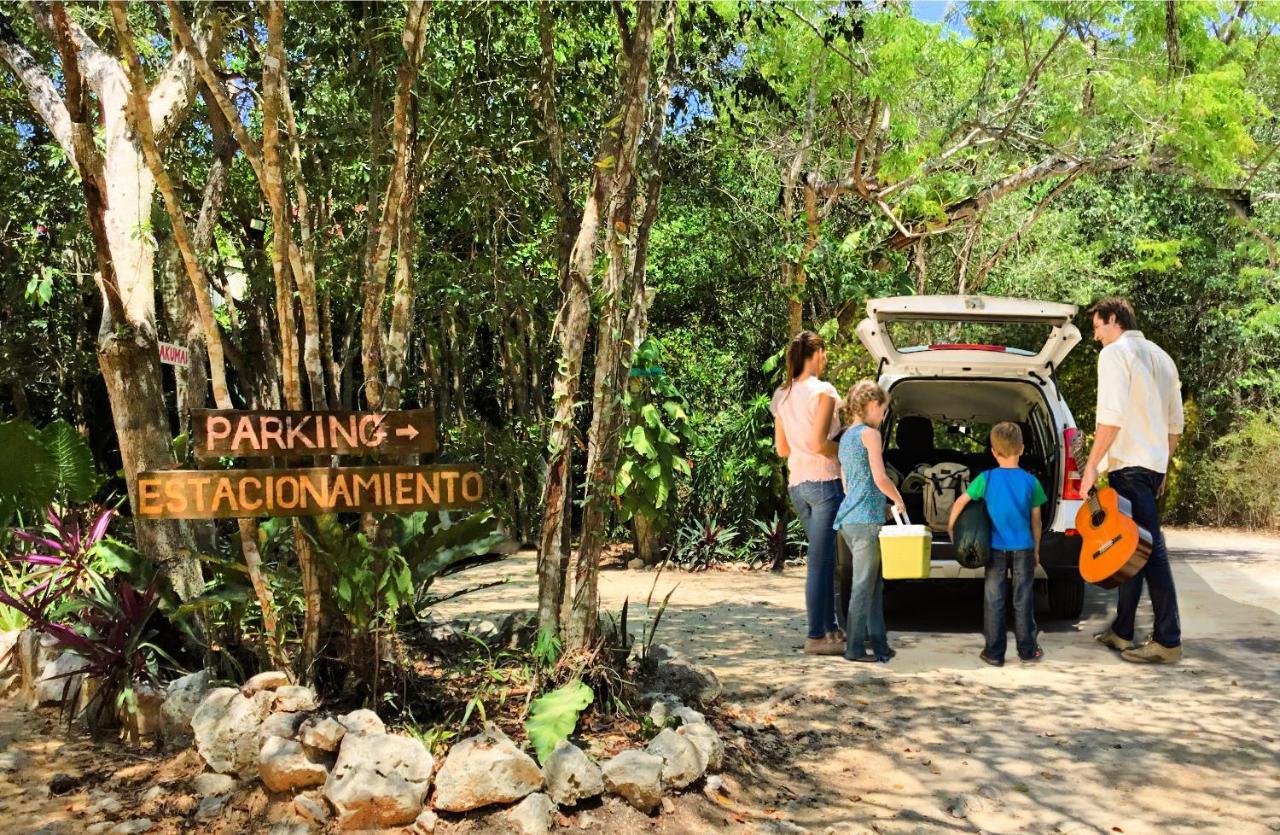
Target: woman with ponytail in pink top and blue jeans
x,y
806,421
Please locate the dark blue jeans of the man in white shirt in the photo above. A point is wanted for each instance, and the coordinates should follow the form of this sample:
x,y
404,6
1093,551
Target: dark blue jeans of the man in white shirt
x,y
1140,487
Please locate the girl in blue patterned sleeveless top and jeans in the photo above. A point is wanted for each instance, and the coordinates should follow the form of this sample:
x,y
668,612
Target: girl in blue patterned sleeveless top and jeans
x,y
861,517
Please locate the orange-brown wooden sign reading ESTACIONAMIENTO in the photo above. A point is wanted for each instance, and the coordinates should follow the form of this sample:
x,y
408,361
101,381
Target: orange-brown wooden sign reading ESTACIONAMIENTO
x,y
308,492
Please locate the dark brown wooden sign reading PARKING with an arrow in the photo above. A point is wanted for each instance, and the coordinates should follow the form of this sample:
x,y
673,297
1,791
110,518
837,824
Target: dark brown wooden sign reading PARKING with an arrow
x,y
281,434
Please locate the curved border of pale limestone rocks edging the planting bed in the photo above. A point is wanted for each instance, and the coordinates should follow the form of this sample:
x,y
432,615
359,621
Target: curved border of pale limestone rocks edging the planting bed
x,y
346,770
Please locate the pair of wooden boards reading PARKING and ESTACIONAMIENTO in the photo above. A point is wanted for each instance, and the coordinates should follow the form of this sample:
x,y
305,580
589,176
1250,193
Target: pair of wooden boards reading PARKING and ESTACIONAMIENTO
x,y
309,491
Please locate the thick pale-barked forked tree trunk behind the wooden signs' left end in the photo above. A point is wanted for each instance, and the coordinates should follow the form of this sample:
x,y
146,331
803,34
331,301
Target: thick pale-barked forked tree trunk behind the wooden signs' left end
x,y
118,191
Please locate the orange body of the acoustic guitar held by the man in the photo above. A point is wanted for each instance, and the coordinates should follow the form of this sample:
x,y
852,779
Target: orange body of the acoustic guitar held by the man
x,y
1114,546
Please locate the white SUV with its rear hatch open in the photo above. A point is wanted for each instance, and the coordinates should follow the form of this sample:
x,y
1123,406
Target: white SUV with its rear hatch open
x,y
968,385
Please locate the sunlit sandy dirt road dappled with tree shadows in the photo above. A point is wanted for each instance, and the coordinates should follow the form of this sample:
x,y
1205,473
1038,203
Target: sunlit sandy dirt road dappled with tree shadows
x,y
938,742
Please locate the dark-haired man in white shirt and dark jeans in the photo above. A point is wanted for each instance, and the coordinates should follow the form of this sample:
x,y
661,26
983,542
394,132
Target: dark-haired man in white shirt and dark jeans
x,y
1140,422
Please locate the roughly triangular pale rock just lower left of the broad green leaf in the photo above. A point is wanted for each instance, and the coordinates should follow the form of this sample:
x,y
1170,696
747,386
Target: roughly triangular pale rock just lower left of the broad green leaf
x,y
486,769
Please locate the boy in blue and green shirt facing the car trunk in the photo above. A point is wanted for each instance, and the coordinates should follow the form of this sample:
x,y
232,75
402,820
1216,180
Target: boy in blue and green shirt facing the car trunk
x,y
1013,498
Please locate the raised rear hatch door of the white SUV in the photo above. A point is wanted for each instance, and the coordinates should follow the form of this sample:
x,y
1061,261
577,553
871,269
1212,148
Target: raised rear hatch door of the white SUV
x,y
940,335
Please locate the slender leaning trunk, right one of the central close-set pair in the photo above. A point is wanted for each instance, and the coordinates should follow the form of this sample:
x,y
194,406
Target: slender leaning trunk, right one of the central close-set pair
x,y
614,349
